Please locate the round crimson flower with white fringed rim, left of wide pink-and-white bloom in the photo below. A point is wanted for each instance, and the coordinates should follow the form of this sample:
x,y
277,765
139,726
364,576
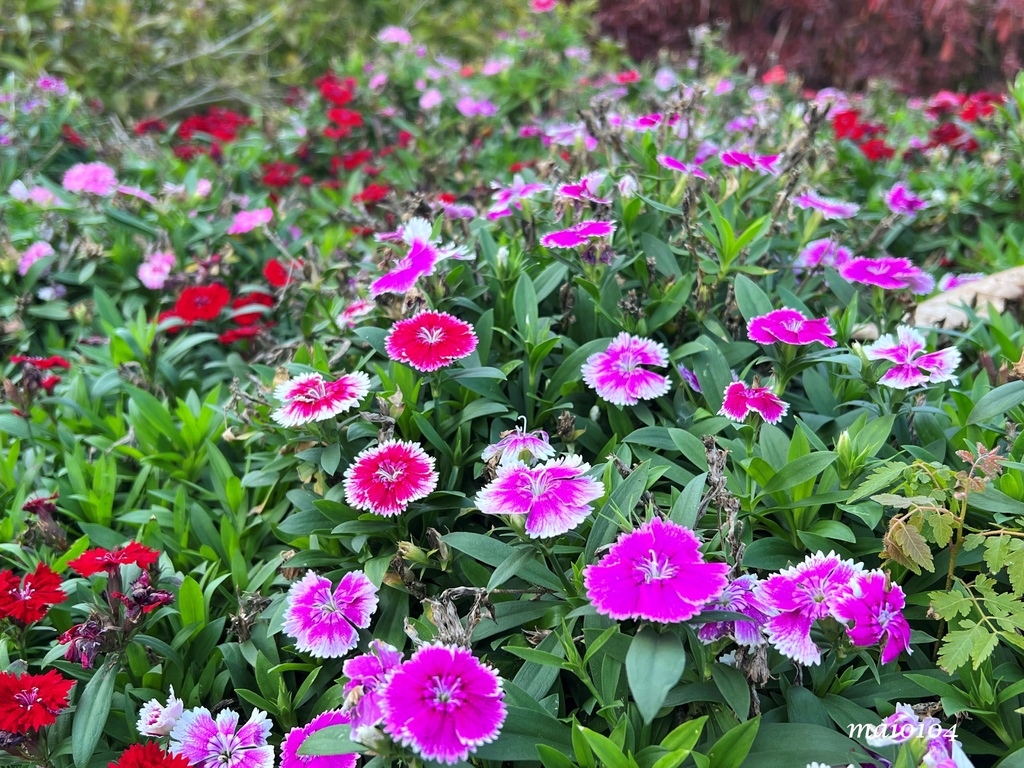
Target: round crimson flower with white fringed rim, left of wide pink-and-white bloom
x,y
387,479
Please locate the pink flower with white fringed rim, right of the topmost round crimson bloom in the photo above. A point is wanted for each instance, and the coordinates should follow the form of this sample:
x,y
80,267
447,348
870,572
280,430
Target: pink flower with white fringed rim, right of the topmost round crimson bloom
x,y
617,375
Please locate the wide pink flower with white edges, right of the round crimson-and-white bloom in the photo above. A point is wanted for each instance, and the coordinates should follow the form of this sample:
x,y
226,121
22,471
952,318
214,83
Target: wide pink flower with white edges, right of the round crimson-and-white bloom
x,y
556,496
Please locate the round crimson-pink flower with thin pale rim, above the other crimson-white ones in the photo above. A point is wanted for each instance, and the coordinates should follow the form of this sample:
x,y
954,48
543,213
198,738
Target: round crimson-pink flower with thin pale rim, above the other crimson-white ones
x,y
431,340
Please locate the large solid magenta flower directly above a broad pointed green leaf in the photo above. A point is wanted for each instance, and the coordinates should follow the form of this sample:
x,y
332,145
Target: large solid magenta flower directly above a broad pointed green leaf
x,y
656,573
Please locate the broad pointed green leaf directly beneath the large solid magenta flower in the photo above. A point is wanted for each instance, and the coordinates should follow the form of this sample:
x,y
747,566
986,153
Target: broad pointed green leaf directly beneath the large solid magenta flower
x,y
655,664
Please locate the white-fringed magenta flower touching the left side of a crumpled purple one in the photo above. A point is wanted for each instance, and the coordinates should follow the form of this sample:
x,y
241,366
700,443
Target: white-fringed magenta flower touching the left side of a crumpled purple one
x,y
800,596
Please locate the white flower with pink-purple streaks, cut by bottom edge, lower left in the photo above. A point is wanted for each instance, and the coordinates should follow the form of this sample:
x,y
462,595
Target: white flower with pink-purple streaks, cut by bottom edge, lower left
x,y
221,744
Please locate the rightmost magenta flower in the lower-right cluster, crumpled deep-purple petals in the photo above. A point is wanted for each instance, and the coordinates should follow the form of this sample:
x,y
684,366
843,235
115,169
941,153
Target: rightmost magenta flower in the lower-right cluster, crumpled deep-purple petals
x,y
877,614
